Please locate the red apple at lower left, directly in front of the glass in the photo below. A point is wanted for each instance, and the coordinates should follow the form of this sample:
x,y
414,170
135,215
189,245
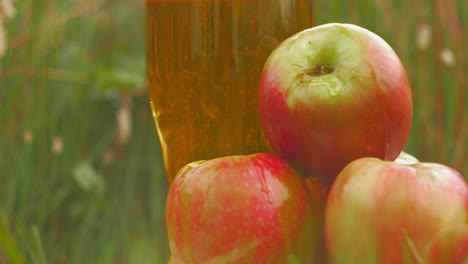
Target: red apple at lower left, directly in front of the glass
x,y
242,209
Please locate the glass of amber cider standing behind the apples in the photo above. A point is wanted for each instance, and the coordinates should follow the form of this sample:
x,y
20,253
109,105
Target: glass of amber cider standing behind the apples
x,y
204,61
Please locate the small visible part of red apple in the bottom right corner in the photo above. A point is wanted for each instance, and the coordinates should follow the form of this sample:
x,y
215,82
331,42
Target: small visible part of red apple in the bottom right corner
x,y
451,247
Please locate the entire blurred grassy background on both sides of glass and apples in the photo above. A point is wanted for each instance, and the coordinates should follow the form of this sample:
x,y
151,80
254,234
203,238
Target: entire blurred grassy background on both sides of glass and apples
x,y
81,175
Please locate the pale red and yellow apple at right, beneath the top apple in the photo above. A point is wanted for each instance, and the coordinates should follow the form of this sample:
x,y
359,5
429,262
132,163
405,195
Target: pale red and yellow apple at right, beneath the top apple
x,y
386,212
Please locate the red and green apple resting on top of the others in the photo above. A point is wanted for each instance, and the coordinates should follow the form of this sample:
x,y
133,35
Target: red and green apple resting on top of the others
x,y
322,128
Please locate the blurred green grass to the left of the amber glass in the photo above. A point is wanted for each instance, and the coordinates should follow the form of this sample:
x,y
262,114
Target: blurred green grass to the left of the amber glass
x,y
75,185
